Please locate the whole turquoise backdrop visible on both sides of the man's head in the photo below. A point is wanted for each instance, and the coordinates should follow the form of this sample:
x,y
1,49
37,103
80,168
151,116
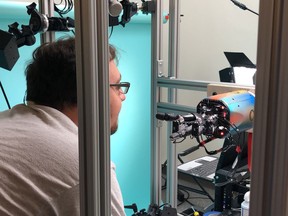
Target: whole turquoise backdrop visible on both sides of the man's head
x,y
130,146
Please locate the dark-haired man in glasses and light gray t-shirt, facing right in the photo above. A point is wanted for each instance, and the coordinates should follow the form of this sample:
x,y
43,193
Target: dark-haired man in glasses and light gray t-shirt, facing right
x,y
39,140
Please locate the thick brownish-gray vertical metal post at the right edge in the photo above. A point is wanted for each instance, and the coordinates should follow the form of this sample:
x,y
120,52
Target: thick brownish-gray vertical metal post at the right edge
x,y
269,181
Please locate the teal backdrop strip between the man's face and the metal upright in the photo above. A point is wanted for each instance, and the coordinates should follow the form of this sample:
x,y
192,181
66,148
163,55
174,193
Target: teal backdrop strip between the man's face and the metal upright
x,y
131,144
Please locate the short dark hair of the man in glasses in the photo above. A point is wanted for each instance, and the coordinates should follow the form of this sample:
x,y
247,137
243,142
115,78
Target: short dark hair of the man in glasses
x,y
51,75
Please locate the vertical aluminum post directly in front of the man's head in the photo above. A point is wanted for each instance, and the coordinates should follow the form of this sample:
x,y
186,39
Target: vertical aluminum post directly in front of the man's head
x,y
93,106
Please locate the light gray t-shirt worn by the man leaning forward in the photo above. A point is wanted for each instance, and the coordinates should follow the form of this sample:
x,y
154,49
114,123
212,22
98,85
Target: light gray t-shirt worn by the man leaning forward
x,y
39,165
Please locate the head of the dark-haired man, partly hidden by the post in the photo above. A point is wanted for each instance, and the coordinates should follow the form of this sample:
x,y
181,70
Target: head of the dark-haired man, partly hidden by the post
x,y
51,79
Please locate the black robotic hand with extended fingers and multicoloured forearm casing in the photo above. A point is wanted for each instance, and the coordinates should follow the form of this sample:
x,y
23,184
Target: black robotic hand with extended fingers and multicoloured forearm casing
x,y
217,117
